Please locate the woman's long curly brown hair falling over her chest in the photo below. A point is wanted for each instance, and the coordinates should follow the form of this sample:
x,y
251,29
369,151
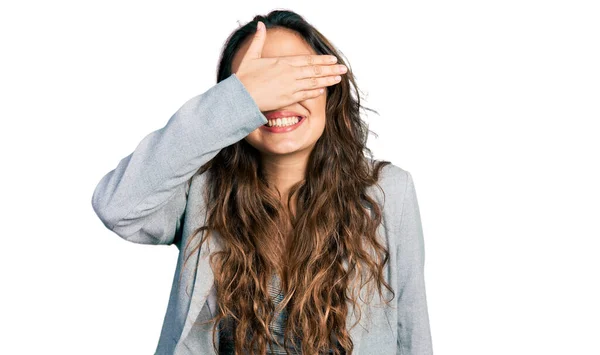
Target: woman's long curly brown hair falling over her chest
x,y
334,249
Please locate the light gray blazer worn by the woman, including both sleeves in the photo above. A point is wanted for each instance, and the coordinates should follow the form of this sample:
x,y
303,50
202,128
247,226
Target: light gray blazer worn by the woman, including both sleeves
x,y
153,196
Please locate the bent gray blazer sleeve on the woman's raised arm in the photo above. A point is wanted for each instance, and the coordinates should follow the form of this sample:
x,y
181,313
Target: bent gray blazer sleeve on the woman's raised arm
x,y
144,198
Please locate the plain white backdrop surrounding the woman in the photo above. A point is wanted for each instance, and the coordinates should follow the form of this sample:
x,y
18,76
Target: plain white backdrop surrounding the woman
x,y
493,106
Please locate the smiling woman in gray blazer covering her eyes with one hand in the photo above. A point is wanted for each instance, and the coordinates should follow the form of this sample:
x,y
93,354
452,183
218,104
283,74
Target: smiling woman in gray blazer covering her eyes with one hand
x,y
263,184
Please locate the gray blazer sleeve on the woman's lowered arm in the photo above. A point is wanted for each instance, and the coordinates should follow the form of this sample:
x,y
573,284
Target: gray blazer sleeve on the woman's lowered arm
x,y
414,336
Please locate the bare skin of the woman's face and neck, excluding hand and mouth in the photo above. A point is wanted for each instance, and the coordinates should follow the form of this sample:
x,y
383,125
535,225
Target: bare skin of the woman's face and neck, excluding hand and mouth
x,y
285,155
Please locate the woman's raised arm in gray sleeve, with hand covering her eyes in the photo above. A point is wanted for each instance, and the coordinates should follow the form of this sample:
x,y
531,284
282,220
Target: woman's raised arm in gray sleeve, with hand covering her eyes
x,y
143,199
